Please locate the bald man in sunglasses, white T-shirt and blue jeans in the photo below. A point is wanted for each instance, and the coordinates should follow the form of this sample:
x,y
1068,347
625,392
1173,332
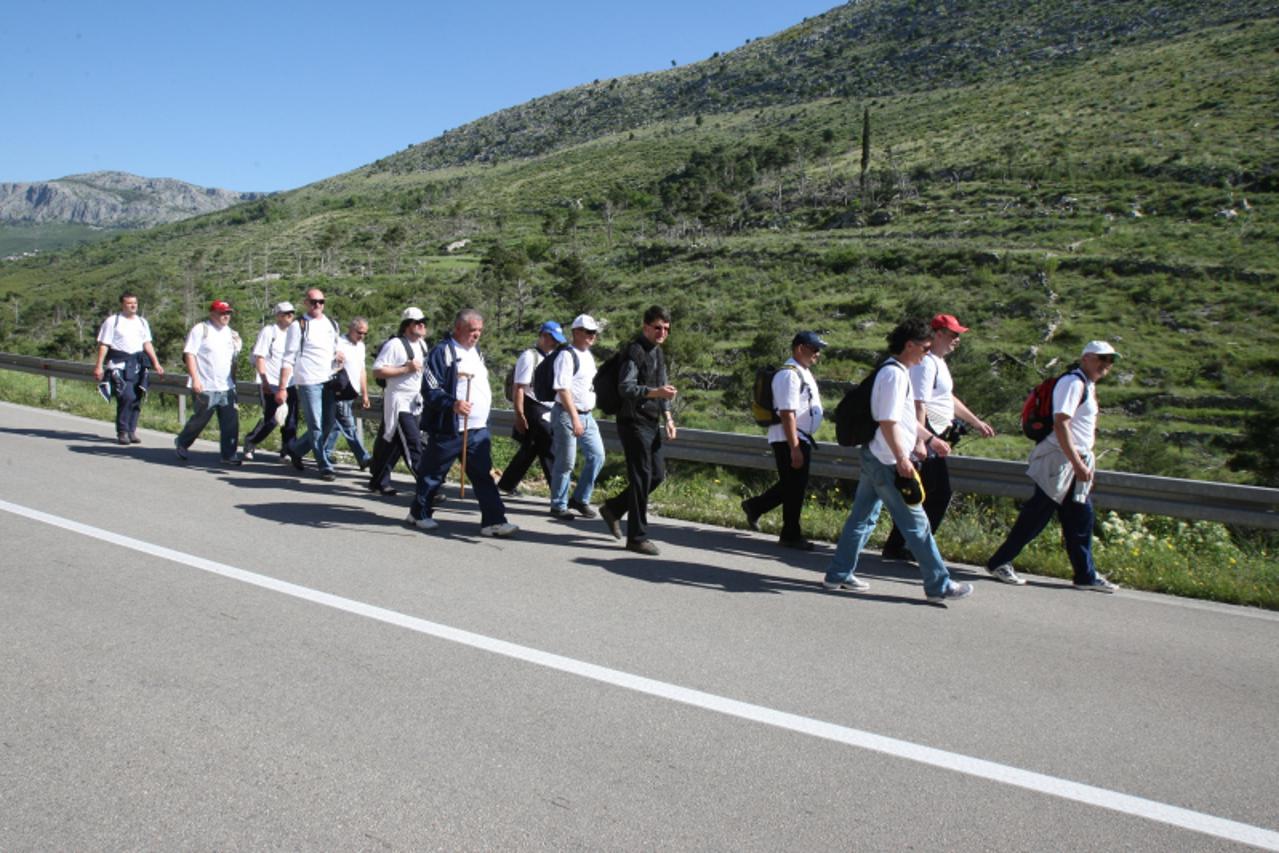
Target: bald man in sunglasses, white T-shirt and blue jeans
x,y
310,360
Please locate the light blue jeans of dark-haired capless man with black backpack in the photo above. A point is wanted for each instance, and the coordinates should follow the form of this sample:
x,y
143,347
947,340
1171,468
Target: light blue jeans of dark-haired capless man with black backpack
x,y
874,490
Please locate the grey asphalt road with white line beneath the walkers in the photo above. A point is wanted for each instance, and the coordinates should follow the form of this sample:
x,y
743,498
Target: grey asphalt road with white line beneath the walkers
x,y
195,657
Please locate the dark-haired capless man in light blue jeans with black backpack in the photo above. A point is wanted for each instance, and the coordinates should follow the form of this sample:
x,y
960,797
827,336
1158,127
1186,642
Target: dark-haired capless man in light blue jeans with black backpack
x,y
884,460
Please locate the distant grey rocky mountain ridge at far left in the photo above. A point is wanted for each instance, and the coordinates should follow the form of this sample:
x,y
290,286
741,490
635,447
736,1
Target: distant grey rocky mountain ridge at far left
x,y
112,200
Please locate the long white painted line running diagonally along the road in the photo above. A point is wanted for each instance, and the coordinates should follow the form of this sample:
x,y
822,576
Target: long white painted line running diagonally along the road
x,y
979,768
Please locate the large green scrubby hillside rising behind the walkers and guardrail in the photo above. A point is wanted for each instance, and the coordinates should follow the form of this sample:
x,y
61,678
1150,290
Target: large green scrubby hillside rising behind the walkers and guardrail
x,y
1049,173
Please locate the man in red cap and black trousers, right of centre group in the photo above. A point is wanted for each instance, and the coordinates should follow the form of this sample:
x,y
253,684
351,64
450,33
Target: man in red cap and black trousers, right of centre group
x,y
937,407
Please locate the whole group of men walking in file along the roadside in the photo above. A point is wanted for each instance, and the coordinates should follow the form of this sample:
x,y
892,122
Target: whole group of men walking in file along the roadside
x,y
438,401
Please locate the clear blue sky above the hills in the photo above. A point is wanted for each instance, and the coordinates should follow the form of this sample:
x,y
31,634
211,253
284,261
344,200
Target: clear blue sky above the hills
x,y
267,97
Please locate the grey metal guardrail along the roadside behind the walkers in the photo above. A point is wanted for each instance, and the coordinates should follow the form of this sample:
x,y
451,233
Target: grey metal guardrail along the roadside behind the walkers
x,y
1191,499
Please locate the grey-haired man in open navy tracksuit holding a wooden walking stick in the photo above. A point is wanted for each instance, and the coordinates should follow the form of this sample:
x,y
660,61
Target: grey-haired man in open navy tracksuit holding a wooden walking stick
x,y
459,401
